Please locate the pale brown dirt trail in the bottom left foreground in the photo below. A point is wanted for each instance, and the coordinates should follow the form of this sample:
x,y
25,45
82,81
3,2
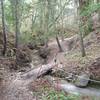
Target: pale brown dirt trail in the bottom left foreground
x,y
16,89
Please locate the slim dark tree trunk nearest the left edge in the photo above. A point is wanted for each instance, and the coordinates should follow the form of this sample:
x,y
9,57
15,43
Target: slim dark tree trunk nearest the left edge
x,y
3,26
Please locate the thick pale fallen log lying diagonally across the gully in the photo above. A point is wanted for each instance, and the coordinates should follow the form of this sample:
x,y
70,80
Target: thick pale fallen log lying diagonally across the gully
x,y
36,73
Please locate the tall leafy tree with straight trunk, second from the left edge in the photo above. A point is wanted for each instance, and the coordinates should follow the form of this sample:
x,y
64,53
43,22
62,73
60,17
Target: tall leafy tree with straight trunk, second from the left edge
x,y
16,13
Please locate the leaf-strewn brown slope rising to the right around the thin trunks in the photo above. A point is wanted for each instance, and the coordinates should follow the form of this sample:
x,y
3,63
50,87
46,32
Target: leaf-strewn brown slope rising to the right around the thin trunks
x,y
71,60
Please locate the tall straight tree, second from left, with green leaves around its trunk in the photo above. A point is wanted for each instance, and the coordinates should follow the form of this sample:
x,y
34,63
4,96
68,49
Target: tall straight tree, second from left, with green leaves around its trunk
x,y
16,7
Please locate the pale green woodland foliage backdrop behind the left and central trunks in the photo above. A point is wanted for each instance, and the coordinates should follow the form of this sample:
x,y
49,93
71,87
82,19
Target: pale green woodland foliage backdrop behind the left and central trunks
x,y
35,14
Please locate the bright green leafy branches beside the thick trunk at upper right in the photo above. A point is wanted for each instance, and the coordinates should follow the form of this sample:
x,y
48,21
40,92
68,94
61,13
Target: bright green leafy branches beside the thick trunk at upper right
x,y
86,12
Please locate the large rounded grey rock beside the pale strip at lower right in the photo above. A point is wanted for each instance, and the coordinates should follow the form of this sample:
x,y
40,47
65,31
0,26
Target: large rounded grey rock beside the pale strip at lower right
x,y
82,80
